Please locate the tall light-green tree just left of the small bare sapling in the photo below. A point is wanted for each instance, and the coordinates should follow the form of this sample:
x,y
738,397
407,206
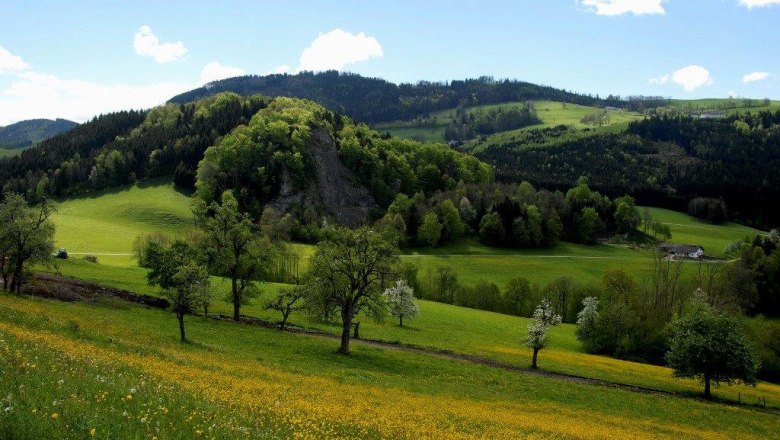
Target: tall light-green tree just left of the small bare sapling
x,y
235,250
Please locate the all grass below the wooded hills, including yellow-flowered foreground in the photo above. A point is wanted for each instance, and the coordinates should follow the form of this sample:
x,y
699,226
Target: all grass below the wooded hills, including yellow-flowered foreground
x,y
275,384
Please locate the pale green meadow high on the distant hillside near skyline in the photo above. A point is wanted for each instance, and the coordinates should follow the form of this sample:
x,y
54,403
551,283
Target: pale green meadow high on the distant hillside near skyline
x,y
552,113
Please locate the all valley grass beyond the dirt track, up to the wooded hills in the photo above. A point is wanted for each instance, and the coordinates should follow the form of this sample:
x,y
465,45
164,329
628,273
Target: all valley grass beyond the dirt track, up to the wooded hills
x,y
443,327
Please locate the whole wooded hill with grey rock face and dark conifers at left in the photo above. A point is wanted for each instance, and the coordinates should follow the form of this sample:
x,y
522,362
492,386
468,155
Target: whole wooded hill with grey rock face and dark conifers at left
x,y
268,151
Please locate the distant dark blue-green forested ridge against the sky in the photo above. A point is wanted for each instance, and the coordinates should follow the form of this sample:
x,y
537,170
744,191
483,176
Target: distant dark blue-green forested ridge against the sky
x,y
376,100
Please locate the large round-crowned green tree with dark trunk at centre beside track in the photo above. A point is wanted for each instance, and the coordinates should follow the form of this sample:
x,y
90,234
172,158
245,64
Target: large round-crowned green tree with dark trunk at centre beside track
x,y
348,273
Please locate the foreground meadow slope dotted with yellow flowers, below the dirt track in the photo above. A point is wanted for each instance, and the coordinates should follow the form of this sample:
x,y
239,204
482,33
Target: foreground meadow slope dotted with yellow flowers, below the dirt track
x,y
118,370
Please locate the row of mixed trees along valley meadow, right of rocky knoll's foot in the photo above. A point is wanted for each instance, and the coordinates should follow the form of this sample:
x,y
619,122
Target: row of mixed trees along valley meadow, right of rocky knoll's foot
x,y
510,215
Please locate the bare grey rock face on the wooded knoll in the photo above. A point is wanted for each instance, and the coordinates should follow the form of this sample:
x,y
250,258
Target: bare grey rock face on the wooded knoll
x,y
335,188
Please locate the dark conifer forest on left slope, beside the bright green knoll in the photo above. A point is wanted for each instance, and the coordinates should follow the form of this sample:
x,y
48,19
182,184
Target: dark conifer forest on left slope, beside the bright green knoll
x,y
119,148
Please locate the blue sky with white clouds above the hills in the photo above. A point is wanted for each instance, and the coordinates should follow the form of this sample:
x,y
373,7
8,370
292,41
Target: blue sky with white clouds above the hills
x,y
74,60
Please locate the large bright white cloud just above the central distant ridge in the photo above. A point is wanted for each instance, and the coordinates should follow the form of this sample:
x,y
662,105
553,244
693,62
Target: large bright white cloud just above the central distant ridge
x,y
337,49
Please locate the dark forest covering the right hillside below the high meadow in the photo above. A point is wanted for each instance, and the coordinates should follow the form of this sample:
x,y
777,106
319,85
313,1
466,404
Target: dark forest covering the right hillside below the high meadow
x,y
661,161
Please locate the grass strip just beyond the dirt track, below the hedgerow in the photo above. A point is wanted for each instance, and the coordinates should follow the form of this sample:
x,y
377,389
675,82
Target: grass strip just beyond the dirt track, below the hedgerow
x,y
455,329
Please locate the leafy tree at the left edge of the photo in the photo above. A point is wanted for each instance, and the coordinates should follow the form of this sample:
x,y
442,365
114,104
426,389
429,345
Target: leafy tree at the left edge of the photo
x,y
26,237
